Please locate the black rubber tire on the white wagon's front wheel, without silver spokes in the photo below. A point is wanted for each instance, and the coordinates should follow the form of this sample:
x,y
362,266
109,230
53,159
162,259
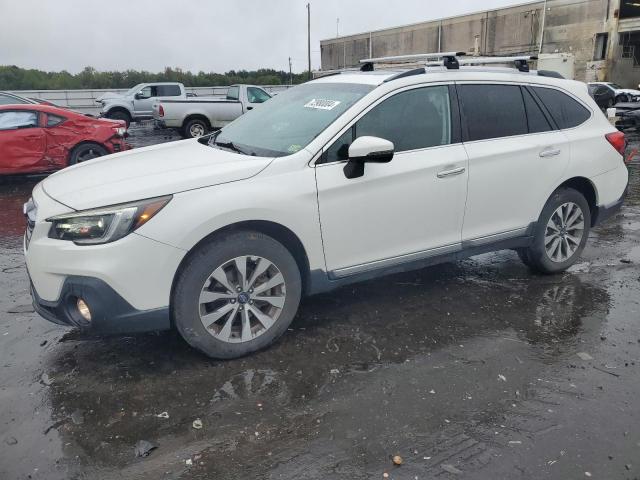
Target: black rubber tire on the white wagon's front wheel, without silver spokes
x,y
198,270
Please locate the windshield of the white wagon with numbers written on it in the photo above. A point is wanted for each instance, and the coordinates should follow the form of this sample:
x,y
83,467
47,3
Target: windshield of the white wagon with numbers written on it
x,y
290,121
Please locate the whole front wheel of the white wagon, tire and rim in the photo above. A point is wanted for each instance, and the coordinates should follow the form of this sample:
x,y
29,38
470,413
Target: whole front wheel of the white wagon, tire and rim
x,y
236,294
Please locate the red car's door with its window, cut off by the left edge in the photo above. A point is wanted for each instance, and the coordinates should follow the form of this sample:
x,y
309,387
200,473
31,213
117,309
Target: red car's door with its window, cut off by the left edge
x,y
22,142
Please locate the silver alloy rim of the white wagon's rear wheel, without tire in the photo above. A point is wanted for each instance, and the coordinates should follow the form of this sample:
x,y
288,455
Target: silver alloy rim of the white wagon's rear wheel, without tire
x,y
564,232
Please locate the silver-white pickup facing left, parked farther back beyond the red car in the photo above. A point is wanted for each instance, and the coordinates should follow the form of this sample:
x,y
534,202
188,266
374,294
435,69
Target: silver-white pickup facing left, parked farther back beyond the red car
x,y
136,103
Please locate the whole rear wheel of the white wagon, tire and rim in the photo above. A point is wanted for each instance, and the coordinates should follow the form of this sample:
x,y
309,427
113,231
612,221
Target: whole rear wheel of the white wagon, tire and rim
x,y
561,232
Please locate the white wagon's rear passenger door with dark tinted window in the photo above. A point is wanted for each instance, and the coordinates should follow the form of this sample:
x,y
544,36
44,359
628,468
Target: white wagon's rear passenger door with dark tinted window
x,y
516,159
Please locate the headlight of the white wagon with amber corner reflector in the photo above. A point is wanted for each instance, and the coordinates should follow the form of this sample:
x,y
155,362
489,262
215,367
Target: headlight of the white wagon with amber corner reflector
x,y
104,225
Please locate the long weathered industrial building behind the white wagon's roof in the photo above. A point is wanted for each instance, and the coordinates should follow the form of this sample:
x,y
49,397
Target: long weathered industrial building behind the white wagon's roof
x,y
602,35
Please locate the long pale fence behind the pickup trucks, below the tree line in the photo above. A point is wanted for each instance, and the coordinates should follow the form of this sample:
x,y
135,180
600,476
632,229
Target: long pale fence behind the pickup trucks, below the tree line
x,y
85,100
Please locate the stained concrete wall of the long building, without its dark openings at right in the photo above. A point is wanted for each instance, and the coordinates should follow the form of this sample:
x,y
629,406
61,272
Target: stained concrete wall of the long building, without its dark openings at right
x,y
570,26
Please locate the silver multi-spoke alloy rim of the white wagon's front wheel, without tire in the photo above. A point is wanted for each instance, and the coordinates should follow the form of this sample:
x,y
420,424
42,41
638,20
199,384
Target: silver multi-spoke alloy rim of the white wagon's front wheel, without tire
x,y
242,299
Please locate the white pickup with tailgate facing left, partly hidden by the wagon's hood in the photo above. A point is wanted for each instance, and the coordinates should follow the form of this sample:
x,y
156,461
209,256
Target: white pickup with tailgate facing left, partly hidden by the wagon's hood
x,y
195,117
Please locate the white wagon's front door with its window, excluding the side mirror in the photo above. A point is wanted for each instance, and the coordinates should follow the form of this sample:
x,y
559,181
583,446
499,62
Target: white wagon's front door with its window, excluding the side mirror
x,y
401,211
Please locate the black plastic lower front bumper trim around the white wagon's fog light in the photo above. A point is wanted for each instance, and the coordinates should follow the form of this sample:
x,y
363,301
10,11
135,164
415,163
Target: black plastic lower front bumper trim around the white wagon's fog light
x,y
110,313
